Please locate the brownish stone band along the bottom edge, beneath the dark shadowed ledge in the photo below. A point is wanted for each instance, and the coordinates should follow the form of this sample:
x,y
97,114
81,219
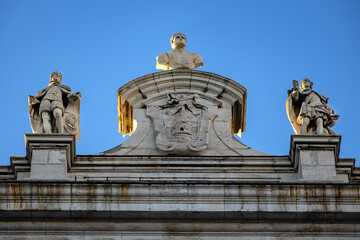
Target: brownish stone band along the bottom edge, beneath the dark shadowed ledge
x,y
112,230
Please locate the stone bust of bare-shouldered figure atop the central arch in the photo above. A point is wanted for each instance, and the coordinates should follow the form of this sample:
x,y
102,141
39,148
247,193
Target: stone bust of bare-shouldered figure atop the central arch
x,y
178,58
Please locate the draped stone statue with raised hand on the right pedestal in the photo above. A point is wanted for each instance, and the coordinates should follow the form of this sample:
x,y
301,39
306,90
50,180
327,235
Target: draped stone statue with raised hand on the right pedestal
x,y
308,110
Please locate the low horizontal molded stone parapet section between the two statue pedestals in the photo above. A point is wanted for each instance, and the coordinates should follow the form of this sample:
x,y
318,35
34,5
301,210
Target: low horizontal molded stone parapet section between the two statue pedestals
x,y
184,168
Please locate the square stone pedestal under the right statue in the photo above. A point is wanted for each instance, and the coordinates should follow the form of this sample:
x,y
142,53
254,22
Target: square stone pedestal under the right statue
x,y
316,156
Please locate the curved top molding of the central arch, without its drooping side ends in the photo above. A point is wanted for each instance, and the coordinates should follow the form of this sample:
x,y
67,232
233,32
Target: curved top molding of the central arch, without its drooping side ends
x,y
143,90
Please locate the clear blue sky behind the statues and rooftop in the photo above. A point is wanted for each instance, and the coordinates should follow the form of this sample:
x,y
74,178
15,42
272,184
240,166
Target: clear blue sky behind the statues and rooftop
x,y
98,46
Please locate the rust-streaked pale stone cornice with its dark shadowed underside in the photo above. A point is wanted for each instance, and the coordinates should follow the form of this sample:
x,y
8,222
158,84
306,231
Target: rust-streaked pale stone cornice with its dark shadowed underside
x,y
161,199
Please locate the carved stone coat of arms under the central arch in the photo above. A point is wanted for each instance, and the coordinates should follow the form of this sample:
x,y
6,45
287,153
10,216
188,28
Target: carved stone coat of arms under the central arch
x,y
183,124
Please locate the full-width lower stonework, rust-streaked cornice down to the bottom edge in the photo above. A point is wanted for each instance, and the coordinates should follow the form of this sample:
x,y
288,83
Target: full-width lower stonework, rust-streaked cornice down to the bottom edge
x,y
178,210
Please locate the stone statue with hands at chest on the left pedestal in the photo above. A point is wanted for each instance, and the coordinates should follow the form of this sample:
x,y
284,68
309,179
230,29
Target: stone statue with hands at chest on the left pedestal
x,y
55,109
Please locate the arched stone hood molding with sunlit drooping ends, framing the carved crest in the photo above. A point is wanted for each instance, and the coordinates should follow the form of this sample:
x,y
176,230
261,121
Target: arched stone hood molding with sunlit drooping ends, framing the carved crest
x,y
154,88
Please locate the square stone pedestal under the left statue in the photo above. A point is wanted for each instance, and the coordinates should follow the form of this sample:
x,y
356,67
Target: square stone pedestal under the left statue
x,y
50,155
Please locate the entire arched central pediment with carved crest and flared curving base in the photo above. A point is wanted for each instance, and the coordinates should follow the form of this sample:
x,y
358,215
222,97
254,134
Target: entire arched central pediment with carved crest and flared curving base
x,y
182,112
